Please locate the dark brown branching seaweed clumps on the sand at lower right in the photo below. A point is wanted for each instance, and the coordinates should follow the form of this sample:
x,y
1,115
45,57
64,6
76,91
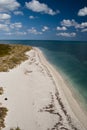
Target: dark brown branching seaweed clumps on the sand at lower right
x,y
50,108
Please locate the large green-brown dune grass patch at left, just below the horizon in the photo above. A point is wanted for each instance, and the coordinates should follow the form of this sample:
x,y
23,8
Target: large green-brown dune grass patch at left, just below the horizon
x,y
12,55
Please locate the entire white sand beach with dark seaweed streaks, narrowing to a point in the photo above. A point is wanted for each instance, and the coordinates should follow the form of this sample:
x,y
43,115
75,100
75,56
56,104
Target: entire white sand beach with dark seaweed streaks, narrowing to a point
x,y
38,98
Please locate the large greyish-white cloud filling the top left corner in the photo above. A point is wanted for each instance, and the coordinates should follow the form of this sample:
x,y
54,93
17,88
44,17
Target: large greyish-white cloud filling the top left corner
x,y
8,5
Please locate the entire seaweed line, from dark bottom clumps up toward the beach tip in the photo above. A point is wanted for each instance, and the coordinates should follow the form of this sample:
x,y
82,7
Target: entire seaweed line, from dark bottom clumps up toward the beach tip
x,y
50,107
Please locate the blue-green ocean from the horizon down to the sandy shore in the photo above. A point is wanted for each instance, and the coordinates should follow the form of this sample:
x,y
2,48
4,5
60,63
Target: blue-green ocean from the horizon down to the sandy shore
x,y
69,58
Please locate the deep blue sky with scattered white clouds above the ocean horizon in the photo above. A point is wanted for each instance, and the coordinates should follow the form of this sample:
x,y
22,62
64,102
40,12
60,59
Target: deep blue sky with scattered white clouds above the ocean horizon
x,y
43,19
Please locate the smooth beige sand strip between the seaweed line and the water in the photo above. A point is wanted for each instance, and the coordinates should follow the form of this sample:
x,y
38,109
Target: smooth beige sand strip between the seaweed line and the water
x,y
65,93
